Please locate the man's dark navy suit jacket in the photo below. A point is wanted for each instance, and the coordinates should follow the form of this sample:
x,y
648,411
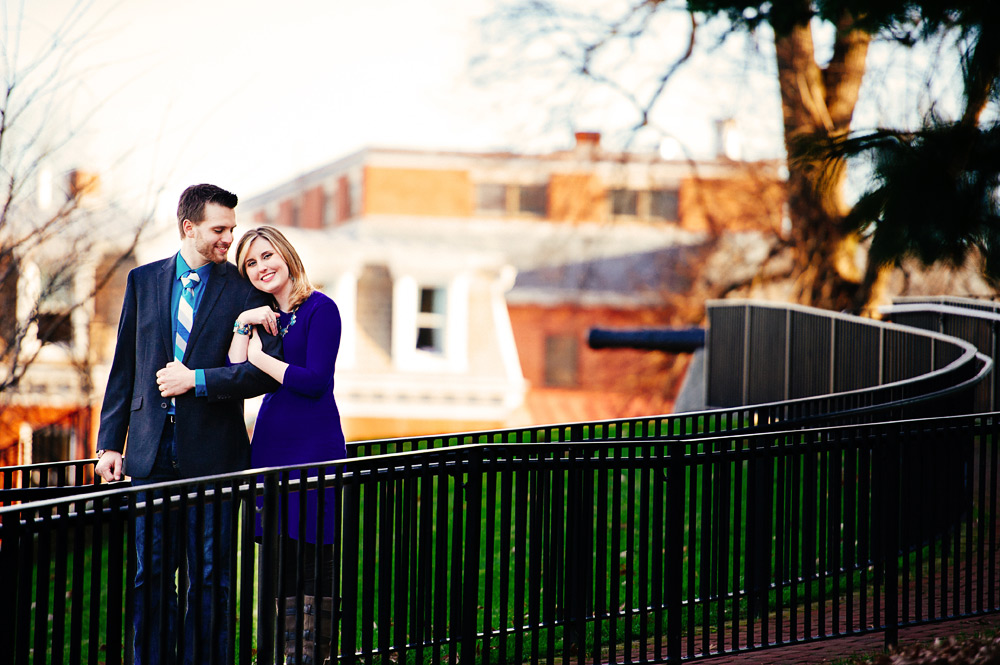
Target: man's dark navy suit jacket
x,y
210,431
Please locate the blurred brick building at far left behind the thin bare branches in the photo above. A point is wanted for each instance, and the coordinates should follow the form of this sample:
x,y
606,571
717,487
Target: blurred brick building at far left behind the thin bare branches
x,y
59,296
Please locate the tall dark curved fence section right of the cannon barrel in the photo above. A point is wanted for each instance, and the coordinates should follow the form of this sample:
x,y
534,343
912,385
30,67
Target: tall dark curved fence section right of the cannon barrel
x,y
761,353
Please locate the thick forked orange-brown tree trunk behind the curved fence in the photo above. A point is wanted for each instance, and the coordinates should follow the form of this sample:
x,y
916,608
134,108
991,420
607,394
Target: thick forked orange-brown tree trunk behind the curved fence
x,y
818,102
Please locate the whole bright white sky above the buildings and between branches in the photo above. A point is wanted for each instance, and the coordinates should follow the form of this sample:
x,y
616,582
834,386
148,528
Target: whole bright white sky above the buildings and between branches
x,y
248,94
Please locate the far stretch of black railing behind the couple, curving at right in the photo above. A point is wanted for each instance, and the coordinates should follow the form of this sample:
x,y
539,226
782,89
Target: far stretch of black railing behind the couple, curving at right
x,y
917,370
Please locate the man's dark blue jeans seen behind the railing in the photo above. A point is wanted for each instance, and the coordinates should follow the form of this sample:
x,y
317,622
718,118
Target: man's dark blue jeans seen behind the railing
x,y
195,542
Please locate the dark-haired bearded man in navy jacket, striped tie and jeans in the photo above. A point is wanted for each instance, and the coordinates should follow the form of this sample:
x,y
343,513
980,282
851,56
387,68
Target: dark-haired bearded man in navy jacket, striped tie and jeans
x,y
177,406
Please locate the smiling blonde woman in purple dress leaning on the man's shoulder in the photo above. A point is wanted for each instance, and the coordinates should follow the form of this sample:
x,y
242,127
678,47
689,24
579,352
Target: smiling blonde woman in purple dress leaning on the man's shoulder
x,y
299,423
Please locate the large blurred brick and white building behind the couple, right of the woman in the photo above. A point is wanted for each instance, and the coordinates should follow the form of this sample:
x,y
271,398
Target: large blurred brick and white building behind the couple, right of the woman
x,y
468,281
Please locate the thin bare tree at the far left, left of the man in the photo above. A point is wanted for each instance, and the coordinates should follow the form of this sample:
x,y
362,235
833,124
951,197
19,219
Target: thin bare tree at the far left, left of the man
x,y
62,238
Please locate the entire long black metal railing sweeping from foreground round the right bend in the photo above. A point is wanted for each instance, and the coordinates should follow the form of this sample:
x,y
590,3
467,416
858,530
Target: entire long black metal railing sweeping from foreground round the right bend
x,y
664,538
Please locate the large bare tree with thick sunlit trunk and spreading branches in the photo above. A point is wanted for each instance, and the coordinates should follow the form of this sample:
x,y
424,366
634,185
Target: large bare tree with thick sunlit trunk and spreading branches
x,y
814,55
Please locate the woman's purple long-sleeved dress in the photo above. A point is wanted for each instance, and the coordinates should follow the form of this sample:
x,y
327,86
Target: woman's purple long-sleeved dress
x,y
299,423
